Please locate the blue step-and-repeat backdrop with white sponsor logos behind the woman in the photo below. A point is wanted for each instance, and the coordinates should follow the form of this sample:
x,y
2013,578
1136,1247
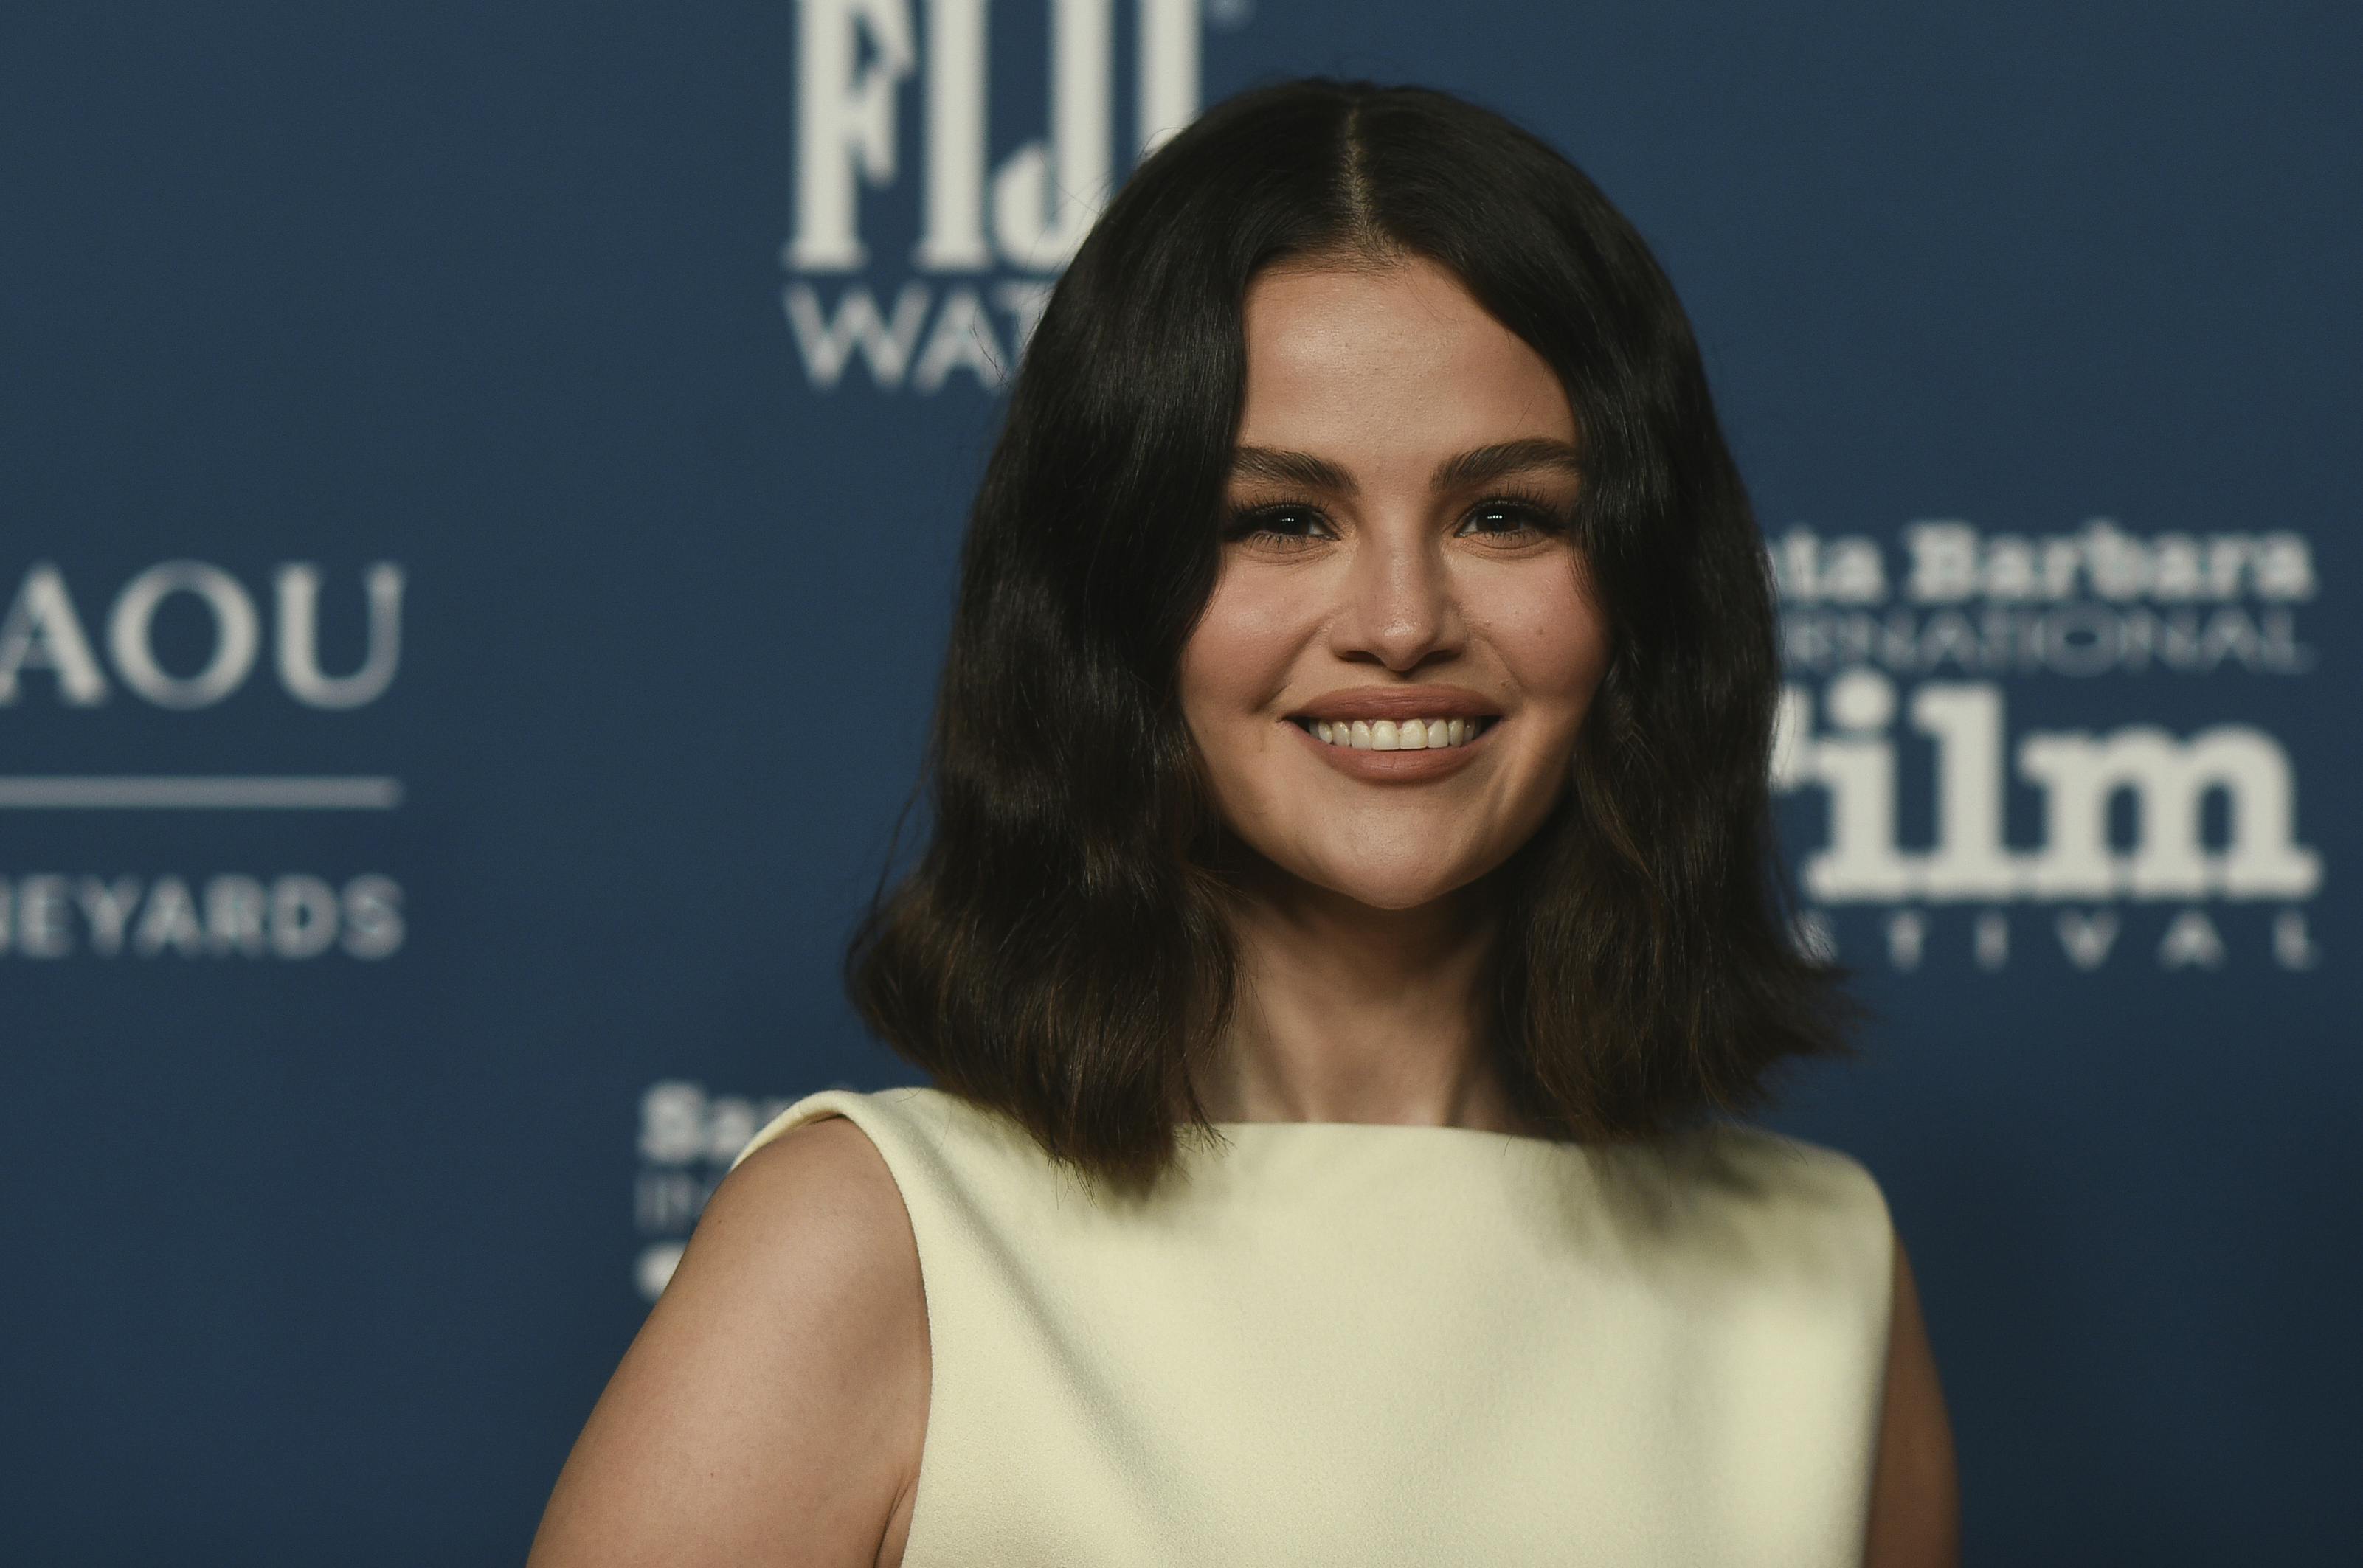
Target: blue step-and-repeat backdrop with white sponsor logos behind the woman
x,y
481,502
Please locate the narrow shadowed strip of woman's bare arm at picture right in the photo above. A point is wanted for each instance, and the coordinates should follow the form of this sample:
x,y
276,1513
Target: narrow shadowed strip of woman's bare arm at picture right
x,y
1915,1498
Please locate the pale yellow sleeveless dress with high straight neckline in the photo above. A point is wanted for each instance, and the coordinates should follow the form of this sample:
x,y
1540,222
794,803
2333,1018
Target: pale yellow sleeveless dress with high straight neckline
x,y
1391,1345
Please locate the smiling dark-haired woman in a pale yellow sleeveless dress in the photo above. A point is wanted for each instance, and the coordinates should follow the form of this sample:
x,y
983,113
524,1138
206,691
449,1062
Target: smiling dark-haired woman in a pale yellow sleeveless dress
x,y
1346,932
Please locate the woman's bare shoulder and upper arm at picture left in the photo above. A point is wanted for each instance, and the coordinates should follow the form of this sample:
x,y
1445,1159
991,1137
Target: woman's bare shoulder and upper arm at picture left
x,y
774,1404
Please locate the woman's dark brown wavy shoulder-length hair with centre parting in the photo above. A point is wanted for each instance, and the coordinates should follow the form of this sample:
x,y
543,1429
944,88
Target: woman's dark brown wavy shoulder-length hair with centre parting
x,y
1062,948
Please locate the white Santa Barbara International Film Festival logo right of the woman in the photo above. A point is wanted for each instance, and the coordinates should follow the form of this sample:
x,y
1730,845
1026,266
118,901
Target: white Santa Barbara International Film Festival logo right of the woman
x,y
1899,693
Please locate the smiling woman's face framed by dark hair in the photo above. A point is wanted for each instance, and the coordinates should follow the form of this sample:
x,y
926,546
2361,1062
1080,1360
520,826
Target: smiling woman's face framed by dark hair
x,y
1398,575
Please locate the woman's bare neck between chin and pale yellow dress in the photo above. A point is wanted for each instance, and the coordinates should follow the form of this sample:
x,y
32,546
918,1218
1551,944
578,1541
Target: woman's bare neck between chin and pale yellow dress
x,y
1355,1014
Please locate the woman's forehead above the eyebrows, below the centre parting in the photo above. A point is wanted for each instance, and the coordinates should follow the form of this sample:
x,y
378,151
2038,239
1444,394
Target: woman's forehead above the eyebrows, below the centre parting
x,y
1388,367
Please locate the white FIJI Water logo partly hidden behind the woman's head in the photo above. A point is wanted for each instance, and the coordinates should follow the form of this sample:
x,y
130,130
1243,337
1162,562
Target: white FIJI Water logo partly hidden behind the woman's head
x,y
989,235
